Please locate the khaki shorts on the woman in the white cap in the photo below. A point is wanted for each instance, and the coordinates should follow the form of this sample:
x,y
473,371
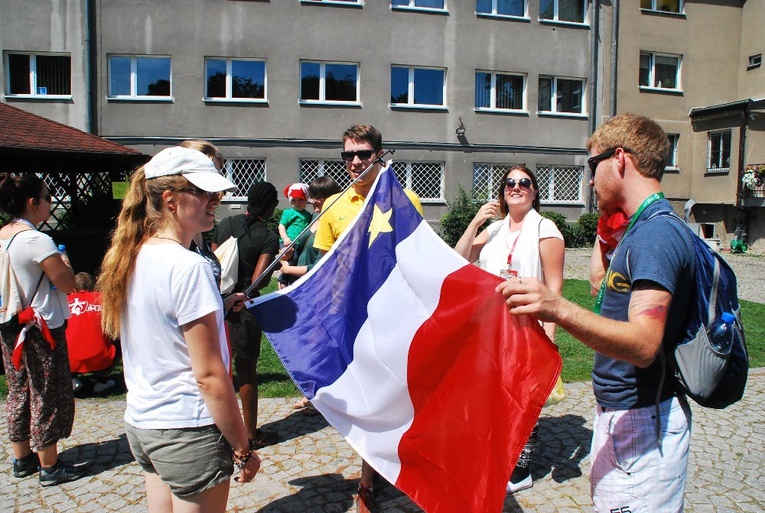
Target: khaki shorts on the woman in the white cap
x,y
188,460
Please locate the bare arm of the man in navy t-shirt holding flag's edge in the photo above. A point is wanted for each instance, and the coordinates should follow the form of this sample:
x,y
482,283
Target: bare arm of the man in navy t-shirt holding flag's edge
x,y
636,341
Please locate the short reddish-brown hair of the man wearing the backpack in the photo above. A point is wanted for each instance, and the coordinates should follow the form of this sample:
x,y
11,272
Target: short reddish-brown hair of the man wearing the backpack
x,y
642,138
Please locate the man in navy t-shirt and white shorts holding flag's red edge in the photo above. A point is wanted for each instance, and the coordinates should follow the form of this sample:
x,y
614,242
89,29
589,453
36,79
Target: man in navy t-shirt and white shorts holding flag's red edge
x,y
641,431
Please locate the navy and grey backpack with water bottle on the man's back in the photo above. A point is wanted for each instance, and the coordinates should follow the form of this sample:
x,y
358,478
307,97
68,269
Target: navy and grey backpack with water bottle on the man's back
x,y
701,373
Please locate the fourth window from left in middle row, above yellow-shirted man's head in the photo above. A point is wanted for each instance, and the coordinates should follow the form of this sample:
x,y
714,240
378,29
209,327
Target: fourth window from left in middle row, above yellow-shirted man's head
x,y
329,82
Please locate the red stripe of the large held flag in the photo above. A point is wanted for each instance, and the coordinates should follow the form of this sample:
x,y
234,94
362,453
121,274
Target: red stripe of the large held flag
x,y
478,378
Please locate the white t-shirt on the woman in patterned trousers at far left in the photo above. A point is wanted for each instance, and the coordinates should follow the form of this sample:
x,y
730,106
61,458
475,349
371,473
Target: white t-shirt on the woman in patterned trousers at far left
x,y
28,250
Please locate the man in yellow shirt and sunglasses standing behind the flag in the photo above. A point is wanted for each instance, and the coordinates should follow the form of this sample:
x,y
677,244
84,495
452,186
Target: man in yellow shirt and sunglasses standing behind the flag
x,y
362,148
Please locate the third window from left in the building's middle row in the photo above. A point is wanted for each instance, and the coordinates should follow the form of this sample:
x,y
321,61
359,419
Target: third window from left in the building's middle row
x,y
229,79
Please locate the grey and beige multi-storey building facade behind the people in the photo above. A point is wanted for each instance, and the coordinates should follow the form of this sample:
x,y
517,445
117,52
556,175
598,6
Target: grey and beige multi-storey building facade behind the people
x,y
459,89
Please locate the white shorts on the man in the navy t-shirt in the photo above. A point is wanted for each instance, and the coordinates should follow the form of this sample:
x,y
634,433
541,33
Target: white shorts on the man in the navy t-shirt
x,y
631,472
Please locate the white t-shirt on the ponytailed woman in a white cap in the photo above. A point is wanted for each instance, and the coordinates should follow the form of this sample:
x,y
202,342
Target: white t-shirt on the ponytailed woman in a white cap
x,y
170,286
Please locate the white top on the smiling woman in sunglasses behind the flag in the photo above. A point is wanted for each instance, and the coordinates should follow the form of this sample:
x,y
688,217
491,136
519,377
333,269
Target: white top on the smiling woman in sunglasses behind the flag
x,y
526,257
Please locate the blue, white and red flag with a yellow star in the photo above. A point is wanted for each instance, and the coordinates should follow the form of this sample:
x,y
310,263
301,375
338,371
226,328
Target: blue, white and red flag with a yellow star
x,y
406,349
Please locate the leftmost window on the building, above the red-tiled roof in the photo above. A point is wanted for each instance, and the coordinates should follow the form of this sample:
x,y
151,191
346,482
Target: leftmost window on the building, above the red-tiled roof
x,y
38,75
